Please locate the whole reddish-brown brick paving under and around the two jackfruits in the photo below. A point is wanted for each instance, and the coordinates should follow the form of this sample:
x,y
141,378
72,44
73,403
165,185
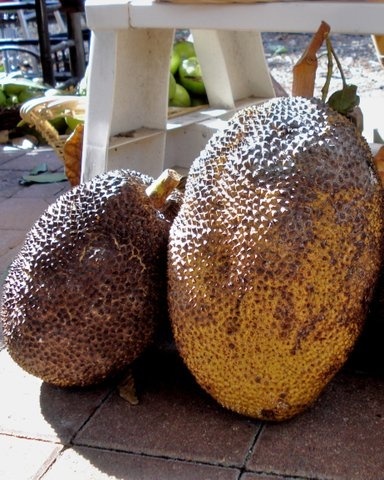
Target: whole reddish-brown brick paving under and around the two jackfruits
x,y
176,432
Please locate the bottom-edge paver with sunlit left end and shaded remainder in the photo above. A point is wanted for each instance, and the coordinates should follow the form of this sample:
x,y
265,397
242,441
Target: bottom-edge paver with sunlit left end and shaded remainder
x,y
86,463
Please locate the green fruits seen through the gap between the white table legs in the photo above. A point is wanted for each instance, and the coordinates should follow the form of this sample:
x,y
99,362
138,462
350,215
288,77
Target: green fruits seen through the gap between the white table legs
x,y
186,86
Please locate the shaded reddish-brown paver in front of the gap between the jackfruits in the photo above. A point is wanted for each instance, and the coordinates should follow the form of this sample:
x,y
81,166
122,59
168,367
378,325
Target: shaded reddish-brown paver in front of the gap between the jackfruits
x,y
173,419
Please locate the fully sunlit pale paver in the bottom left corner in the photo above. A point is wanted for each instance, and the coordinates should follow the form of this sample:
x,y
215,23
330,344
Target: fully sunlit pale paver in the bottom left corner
x,y
24,459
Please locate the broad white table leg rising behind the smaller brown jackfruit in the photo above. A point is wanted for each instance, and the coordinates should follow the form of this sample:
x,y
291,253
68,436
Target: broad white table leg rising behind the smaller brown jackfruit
x,y
127,95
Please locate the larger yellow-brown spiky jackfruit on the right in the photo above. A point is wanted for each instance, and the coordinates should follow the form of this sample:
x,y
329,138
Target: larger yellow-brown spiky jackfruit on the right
x,y
274,255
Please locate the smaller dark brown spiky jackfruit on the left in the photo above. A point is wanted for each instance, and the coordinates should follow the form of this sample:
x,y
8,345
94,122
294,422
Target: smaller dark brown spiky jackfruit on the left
x,y
84,296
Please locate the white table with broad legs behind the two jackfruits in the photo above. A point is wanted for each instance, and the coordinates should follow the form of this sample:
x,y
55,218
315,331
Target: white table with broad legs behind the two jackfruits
x,y
127,123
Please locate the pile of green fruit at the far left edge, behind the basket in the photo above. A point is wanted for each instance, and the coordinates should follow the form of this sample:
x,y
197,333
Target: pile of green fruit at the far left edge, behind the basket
x,y
15,91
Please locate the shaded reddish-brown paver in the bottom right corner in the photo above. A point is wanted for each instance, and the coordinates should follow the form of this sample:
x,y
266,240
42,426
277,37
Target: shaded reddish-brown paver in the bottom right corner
x,y
348,417
